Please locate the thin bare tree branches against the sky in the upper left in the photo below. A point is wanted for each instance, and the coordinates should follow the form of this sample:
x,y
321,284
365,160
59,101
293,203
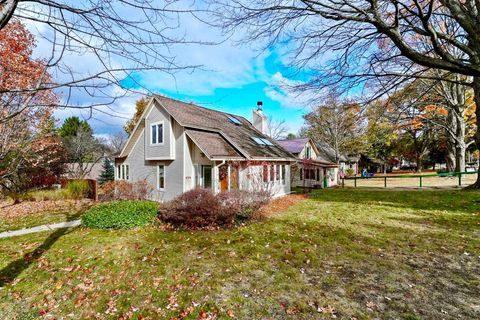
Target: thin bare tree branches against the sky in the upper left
x,y
98,48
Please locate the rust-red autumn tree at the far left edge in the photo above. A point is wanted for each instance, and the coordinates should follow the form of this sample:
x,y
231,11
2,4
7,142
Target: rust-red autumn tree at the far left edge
x,y
30,152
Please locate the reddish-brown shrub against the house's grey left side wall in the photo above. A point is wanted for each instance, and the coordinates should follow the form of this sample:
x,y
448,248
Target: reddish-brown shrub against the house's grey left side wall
x,y
125,190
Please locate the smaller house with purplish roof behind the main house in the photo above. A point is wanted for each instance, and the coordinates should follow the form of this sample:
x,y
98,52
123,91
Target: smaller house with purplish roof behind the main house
x,y
311,169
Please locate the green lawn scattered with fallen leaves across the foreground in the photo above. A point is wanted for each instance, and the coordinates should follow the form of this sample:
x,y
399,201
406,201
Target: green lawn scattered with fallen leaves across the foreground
x,y
352,254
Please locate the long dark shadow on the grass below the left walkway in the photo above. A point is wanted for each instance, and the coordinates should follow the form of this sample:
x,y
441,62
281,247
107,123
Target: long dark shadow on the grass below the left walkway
x,y
15,268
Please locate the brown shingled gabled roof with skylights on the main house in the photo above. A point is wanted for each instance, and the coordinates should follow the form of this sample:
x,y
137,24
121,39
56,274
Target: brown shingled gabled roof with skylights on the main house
x,y
200,121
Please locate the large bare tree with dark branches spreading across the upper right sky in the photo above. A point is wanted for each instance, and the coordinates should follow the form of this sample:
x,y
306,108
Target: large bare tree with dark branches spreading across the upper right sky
x,y
386,41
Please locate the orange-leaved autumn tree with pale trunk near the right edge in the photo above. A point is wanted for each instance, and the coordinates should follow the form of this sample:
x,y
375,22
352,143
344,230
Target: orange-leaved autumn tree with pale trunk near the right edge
x,y
447,108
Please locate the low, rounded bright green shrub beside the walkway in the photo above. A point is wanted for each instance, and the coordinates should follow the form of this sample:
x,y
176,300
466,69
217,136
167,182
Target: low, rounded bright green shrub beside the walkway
x,y
120,215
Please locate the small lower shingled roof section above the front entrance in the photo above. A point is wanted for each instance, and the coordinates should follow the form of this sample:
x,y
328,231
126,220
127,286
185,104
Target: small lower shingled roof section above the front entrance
x,y
213,145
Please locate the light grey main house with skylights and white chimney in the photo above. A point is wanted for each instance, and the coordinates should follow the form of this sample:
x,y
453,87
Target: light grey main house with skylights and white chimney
x,y
178,146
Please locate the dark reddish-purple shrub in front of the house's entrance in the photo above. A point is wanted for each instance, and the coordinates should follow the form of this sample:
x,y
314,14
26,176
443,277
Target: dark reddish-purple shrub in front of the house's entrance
x,y
201,209
